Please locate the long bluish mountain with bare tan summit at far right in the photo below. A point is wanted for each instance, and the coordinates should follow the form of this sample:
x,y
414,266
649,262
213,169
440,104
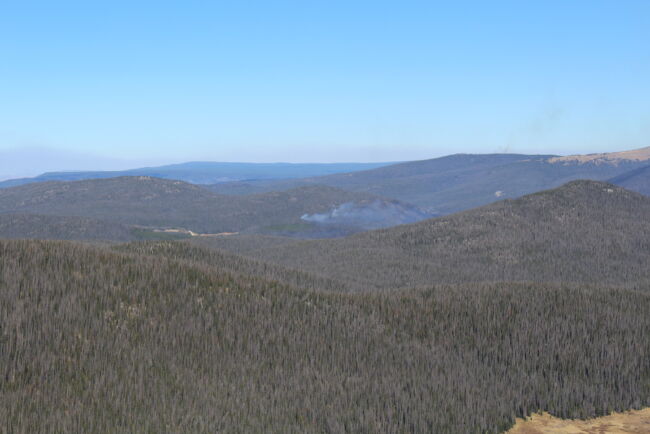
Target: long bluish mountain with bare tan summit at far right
x,y
459,182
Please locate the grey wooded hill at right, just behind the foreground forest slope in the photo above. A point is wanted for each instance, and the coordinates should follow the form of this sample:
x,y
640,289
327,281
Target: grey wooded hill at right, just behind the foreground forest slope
x,y
584,231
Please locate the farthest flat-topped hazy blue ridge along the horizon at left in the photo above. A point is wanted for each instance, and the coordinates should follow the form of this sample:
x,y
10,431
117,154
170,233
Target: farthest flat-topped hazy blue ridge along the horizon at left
x,y
207,172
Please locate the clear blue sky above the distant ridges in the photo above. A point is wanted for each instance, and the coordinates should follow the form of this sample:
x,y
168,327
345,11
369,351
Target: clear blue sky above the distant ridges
x,y
322,80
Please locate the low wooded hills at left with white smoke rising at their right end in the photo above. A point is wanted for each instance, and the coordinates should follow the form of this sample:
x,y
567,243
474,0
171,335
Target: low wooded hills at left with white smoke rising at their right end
x,y
157,203
